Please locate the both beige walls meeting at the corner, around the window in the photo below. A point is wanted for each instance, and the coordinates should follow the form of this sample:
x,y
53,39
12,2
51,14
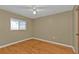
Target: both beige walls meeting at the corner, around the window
x,y
56,28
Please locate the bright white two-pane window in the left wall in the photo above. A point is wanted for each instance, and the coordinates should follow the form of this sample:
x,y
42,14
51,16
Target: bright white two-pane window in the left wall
x,y
17,24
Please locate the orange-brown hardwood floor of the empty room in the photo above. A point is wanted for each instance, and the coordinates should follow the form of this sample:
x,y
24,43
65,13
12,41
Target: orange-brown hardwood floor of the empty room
x,y
35,47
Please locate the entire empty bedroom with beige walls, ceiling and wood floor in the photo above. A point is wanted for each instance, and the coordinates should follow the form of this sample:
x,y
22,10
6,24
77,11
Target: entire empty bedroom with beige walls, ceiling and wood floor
x,y
39,29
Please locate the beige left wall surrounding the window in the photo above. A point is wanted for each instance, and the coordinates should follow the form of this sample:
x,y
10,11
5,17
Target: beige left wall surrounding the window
x,y
8,36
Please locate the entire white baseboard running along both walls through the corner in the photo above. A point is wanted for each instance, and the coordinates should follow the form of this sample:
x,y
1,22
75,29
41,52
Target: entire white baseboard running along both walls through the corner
x,y
40,40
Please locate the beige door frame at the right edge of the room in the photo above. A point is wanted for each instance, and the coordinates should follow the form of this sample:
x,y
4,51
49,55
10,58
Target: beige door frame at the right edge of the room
x,y
75,28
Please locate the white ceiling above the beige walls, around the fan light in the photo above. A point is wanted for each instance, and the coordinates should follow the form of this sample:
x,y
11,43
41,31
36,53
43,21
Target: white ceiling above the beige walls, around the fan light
x,y
42,10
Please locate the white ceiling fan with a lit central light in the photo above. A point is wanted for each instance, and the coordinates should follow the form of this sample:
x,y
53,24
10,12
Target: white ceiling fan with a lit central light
x,y
33,8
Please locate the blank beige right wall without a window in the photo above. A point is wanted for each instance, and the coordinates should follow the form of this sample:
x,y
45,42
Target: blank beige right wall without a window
x,y
56,28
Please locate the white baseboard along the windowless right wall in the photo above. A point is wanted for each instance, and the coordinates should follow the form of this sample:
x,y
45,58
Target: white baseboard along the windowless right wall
x,y
52,42
